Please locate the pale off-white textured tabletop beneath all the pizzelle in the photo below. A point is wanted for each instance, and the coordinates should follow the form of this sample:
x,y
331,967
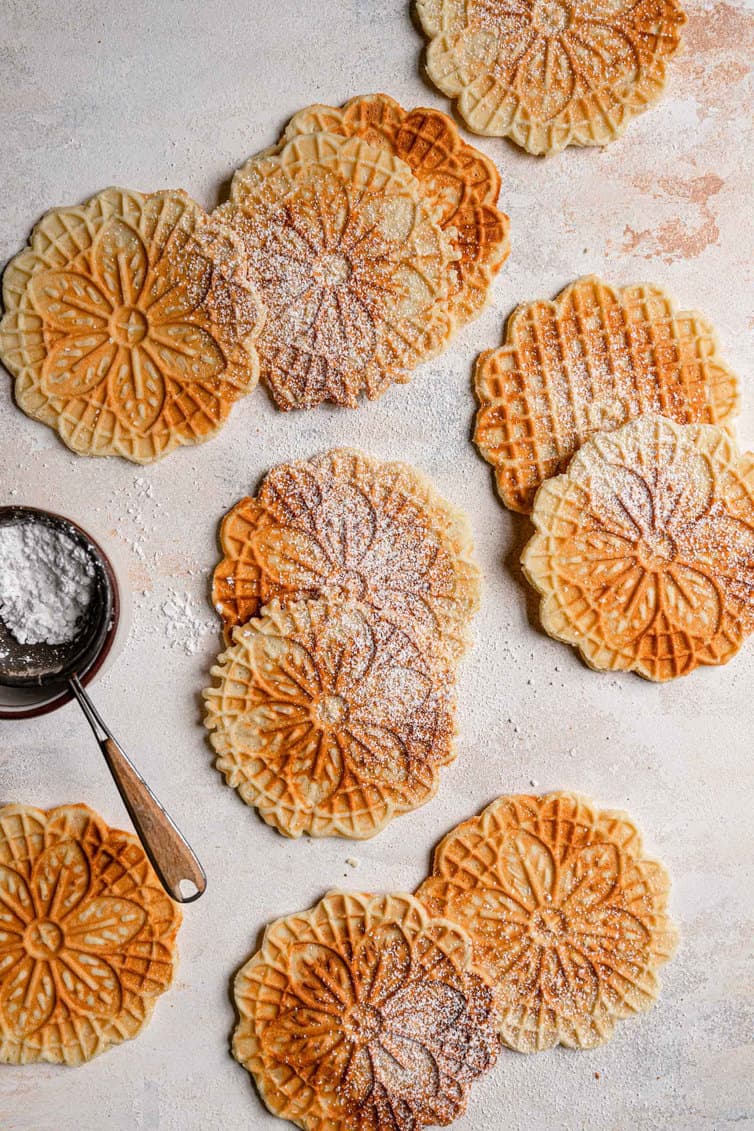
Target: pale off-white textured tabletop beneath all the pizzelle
x,y
162,94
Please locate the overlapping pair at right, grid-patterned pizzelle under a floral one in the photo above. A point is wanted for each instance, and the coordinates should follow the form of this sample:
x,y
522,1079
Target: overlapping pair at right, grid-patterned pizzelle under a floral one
x,y
608,417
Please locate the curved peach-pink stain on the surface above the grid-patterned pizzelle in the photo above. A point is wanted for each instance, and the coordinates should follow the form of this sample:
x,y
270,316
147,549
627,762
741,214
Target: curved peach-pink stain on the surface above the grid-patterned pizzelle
x,y
678,239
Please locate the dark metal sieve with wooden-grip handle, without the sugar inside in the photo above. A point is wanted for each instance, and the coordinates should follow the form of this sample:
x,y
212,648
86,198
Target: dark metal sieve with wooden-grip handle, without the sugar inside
x,y
46,666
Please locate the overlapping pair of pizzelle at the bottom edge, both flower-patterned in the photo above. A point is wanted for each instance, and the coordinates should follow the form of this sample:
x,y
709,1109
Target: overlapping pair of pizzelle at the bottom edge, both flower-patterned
x,y
542,923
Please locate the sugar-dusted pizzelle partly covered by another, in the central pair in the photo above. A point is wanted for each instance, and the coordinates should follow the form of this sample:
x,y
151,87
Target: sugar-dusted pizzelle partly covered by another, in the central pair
x,y
344,524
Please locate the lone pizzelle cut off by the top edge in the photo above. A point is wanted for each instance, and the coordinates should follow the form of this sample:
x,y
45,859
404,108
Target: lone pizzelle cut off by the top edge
x,y
549,74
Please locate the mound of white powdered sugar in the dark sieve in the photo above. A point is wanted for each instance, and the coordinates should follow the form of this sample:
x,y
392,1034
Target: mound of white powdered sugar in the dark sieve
x,y
46,583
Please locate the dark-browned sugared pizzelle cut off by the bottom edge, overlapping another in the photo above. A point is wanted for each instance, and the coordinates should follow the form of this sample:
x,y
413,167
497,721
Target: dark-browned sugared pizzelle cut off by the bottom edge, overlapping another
x,y
363,1015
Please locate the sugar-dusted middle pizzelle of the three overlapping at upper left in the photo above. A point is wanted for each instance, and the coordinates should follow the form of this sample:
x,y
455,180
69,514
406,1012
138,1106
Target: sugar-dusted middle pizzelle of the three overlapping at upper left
x,y
352,263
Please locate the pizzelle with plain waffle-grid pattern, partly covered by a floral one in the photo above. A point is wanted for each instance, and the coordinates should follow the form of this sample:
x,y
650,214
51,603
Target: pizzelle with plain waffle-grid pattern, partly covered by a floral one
x,y
588,362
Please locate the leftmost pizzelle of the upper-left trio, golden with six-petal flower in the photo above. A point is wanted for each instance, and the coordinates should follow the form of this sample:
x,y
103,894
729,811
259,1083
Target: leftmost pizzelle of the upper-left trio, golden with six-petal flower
x,y
129,325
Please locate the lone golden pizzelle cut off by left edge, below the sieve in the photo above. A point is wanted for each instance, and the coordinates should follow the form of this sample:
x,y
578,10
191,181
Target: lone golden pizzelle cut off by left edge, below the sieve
x,y
88,936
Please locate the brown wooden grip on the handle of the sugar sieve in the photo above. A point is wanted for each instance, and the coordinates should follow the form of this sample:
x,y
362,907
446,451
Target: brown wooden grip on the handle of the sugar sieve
x,y
170,853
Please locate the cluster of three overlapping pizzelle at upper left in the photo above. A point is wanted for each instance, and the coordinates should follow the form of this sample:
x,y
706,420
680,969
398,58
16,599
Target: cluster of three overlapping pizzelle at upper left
x,y
348,255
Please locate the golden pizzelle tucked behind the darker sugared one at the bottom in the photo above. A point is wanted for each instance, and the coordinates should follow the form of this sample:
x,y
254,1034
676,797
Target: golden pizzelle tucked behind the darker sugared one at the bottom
x,y
566,916
